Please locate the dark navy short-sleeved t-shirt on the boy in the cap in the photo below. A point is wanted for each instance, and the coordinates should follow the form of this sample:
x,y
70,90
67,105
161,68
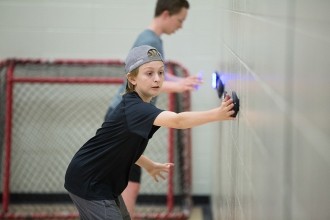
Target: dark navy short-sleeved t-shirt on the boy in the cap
x,y
100,168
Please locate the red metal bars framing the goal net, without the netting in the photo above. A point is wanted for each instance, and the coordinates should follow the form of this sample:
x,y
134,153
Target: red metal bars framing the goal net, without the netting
x,y
8,80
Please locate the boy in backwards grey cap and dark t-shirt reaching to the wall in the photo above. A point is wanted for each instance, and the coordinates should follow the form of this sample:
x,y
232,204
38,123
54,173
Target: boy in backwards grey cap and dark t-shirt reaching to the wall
x,y
98,172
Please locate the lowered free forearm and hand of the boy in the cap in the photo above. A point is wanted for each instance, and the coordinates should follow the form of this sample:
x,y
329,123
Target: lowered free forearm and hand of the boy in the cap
x,y
153,168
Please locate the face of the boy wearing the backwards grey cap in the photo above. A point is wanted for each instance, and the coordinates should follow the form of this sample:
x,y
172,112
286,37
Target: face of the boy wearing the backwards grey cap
x,y
149,80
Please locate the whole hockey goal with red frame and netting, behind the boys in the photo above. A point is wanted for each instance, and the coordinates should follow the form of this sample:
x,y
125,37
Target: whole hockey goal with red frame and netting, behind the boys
x,y
48,109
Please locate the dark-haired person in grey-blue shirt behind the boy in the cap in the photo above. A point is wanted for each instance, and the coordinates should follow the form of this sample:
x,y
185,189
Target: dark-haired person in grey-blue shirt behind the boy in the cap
x,y
169,16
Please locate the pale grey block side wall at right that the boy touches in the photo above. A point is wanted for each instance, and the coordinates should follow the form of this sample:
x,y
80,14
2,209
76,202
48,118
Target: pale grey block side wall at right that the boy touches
x,y
274,161
